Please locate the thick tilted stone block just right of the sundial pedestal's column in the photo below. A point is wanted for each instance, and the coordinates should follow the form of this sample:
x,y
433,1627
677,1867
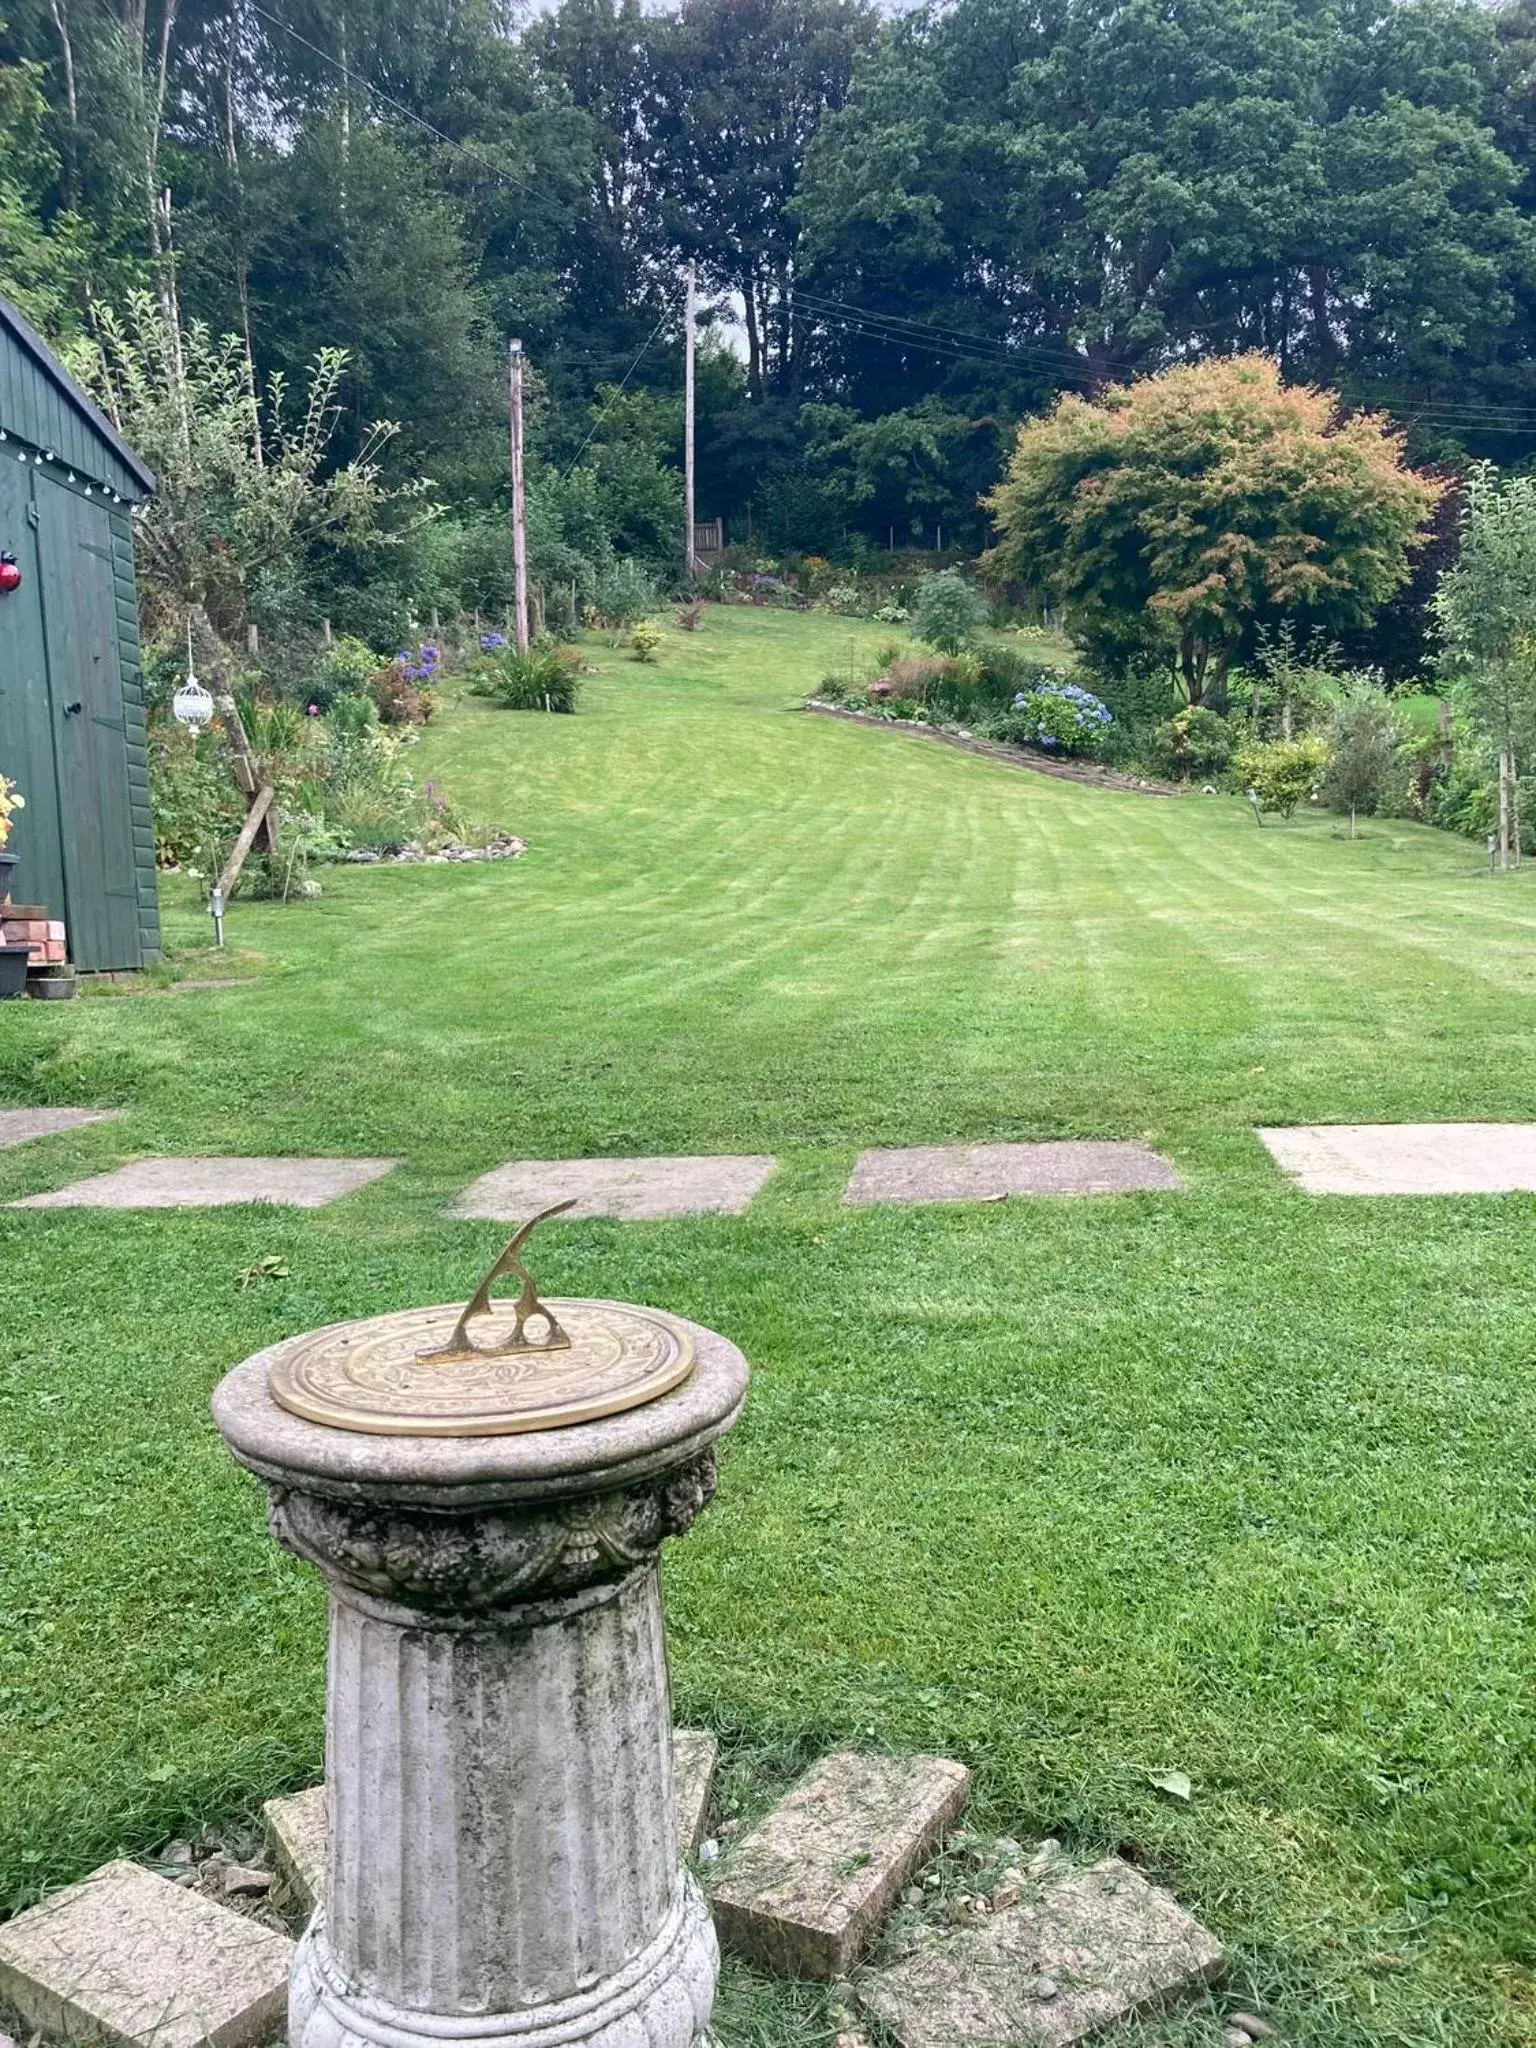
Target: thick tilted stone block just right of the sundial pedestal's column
x,y
808,1889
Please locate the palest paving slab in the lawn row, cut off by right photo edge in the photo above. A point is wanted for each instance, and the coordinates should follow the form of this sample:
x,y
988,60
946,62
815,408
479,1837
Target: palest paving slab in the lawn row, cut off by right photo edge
x,y
1408,1158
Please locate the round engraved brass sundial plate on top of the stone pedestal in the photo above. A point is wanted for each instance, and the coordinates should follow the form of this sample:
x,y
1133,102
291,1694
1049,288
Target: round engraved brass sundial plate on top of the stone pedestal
x,y
372,1375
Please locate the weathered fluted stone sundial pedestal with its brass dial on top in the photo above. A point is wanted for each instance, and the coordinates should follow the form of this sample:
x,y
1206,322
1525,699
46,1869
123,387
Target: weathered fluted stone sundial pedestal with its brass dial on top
x,y
499,1734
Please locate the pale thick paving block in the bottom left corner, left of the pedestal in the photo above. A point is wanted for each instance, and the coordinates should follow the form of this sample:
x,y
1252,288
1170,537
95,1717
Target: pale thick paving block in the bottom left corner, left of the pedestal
x,y
130,1959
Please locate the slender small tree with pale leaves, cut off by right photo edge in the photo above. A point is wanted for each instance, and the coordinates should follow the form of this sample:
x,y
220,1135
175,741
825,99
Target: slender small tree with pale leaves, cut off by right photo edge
x,y
1486,609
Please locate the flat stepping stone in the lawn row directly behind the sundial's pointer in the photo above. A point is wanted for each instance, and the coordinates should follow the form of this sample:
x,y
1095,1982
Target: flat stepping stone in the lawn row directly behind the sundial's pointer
x,y
636,1191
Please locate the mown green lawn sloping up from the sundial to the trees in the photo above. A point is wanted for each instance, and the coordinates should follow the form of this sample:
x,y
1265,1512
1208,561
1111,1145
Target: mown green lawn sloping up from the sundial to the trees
x,y
1234,1482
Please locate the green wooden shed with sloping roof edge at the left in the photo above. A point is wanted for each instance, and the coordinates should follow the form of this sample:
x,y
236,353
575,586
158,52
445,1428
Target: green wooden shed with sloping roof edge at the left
x,y
71,685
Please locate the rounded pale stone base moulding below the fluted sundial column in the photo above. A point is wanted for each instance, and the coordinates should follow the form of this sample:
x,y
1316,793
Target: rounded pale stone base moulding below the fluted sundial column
x,y
660,2000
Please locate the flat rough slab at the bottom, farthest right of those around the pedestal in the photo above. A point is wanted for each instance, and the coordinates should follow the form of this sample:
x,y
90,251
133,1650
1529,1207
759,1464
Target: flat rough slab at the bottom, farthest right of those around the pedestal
x,y
1099,1947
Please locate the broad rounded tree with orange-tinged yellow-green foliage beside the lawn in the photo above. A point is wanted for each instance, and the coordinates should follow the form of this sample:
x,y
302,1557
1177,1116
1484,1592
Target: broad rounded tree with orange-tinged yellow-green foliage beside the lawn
x,y
1183,511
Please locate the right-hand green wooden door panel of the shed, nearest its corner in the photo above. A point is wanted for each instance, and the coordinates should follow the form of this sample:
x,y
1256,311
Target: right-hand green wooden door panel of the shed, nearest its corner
x,y
89,734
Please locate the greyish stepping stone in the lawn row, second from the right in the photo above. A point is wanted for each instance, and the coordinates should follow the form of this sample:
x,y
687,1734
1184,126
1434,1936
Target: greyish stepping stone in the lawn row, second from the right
x,y
990,1172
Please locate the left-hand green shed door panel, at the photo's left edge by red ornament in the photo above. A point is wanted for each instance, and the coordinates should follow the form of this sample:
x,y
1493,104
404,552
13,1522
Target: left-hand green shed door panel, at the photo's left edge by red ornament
x,y
26,714
